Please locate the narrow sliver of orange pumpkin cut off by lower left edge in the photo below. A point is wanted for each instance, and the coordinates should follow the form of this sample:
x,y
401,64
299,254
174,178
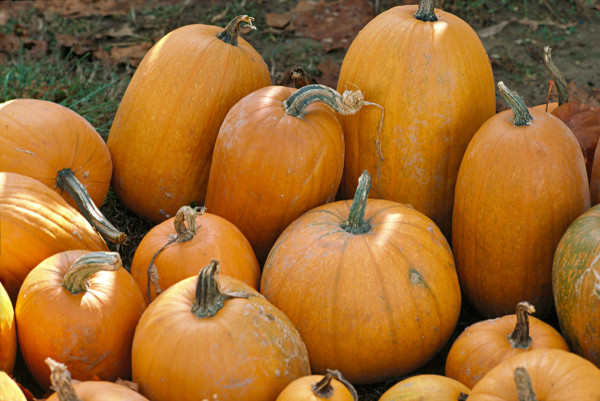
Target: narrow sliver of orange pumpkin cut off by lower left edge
x,y
8,333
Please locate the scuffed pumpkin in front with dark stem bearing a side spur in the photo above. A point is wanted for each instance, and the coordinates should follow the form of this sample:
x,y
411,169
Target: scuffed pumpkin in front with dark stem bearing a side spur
x,y
214,337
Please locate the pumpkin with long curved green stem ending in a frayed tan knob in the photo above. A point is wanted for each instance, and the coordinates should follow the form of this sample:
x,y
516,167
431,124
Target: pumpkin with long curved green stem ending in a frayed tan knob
x,y
261,191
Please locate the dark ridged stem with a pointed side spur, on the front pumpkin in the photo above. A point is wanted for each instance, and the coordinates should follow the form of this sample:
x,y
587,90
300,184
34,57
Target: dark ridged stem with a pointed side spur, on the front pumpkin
x,y
209,295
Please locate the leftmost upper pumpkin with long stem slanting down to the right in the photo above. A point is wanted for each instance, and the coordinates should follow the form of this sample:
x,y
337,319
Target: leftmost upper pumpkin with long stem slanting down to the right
x,y
58,147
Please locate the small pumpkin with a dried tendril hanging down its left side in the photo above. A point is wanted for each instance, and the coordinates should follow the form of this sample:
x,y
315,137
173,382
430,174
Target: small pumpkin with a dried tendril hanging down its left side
x,y
174,251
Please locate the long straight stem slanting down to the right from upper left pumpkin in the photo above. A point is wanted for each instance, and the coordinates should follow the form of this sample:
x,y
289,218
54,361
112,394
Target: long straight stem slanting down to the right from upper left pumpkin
x,y
67,181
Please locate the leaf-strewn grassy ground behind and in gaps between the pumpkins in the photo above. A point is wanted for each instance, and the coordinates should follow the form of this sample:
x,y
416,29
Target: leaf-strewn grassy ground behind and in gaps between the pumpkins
x,y
83,54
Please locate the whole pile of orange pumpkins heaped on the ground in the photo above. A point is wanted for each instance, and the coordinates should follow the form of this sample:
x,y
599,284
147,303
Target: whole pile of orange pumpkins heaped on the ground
x,y
323,244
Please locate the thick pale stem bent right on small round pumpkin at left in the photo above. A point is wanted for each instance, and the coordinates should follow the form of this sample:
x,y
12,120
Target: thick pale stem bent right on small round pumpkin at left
x,y
77,278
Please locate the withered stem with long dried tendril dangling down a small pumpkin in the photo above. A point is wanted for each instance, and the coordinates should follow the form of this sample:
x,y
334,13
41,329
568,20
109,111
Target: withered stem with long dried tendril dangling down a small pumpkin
x,y
183,233
